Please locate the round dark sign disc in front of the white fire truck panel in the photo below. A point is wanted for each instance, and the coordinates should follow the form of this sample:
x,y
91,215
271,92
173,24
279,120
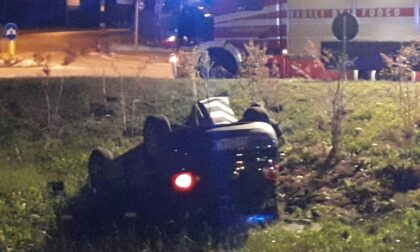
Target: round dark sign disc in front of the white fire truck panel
x,y
345,26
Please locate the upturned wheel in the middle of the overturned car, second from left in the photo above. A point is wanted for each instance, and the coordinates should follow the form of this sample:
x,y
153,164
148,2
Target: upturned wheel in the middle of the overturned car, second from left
x,y
154,128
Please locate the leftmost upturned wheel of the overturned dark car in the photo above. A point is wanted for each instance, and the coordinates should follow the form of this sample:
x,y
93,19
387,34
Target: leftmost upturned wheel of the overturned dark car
x,y
99,159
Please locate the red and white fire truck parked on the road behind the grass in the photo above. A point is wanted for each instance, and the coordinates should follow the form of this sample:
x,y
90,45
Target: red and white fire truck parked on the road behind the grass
x,y
294,31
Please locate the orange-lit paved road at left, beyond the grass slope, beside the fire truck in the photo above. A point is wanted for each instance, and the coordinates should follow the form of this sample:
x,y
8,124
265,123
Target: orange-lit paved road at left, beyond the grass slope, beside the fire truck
x,y
94,53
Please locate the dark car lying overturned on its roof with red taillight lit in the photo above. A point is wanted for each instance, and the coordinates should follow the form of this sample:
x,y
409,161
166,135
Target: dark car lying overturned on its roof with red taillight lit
x,y
215,168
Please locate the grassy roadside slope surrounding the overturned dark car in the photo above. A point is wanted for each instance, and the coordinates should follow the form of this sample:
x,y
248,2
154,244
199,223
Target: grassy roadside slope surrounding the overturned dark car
x,y
32,154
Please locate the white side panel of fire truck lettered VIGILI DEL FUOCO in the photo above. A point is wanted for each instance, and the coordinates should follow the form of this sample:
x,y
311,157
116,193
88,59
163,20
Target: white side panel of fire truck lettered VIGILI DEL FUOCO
x,y
379,20
